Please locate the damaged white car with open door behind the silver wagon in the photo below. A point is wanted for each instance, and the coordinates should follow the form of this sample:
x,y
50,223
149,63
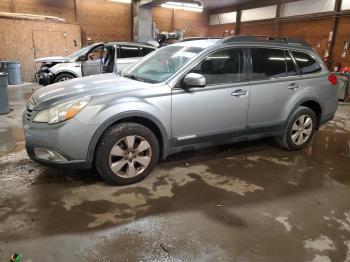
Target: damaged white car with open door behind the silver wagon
x,y
94,59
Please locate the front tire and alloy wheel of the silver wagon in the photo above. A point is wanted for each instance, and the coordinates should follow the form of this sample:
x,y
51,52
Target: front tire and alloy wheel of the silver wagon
x,y
121,165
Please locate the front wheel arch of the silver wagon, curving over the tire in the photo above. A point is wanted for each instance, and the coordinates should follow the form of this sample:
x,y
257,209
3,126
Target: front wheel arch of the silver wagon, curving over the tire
x,y
142,118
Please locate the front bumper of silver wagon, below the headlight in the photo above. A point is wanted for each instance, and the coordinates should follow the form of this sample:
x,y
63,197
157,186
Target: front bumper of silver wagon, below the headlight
x,y
70,140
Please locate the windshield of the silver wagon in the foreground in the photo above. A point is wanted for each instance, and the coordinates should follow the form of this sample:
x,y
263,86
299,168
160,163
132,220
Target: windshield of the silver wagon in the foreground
x,y
162,64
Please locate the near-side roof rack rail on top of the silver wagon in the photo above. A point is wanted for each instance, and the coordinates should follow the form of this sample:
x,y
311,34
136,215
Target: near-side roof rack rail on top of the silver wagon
x,y
264,38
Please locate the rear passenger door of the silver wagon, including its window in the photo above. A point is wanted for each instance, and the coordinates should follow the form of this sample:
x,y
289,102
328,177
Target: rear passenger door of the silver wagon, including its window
x,y
274,81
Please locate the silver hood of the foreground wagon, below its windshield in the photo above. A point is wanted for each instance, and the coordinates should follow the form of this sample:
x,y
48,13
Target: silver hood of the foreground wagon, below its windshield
x,y
86,86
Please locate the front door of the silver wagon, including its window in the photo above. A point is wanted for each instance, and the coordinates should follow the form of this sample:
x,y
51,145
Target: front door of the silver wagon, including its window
x,y
218,110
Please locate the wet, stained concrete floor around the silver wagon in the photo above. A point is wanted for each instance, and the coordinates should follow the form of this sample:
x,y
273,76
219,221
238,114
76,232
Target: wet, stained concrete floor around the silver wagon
x,y
243,202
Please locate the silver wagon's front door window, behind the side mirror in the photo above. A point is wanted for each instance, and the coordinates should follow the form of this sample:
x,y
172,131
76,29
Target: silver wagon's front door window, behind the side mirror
x,y
224,66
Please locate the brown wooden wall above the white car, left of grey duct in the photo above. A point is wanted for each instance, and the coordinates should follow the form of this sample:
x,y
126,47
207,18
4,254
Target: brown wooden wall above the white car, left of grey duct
x,y
99,19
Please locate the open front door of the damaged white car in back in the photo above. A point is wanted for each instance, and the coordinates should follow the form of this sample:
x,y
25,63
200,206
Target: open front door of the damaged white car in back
x,y
92,65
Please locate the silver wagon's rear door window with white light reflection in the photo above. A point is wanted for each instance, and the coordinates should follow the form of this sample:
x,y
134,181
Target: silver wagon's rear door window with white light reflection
x,y
268,63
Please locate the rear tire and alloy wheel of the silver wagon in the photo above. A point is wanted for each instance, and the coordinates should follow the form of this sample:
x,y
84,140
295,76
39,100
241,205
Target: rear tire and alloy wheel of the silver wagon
x,y
297,135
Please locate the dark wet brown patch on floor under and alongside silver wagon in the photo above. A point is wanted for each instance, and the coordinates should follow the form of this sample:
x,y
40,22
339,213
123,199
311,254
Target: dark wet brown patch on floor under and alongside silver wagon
x,y
229,176
